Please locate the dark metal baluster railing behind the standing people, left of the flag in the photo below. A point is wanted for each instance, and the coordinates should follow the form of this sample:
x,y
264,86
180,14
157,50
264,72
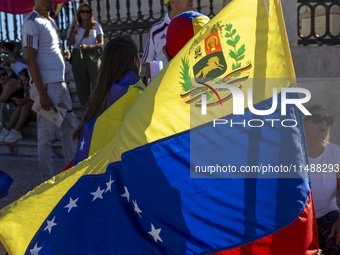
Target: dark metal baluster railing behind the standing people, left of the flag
x,y
117,17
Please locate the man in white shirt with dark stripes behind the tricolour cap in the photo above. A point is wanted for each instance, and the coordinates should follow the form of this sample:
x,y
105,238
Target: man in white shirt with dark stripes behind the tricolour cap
x,y
157,34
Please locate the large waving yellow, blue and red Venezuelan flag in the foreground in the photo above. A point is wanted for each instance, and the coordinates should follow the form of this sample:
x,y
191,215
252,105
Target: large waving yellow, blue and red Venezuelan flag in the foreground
x,y
143,194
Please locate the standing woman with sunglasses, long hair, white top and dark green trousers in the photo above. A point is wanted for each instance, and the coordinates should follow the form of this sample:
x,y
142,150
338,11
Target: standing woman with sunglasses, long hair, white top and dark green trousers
x,y
85,38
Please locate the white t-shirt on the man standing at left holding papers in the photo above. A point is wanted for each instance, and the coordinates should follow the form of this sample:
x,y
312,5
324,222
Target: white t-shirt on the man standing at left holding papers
x,y
41,34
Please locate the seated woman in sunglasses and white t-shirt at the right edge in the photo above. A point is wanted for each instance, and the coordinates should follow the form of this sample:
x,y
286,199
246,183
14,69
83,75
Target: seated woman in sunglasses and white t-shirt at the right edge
x,y
324,160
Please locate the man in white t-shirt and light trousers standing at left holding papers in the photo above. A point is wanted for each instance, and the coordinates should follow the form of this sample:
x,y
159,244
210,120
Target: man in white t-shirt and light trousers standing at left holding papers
x,y
46,68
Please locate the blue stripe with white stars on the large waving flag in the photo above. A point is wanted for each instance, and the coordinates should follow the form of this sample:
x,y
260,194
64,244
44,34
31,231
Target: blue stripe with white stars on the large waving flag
x,y
149,203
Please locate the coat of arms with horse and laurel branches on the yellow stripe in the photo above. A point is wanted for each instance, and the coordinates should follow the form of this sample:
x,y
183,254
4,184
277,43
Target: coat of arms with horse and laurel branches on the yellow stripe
x,y
212,66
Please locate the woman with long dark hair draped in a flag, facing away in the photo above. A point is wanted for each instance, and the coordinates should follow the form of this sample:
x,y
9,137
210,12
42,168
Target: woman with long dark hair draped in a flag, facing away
x,y
120,68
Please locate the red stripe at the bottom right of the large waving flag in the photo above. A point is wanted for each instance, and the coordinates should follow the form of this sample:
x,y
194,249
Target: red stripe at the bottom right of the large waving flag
x,y
298,238
